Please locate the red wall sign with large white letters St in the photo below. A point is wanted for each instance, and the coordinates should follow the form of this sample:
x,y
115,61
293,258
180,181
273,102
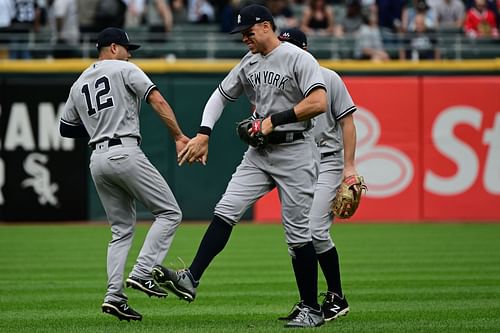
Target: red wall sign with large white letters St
x,y
461,151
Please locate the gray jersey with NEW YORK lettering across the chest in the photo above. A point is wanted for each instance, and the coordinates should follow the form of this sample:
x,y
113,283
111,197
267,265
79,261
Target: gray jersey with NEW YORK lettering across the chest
x,y
275,82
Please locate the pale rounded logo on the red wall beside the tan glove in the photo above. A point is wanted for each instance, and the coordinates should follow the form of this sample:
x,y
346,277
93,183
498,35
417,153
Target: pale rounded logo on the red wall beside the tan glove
x,y
387,170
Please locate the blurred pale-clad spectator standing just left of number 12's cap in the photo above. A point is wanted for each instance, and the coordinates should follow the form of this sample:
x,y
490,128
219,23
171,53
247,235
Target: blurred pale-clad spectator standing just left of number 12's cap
x,y
63,17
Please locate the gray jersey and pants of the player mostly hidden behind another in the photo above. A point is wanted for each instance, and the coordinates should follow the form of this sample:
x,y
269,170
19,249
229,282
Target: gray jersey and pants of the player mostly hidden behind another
x,y
328,136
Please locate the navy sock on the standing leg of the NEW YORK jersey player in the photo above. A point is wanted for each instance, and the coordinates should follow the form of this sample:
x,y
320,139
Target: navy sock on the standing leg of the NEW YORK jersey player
x,y
305,267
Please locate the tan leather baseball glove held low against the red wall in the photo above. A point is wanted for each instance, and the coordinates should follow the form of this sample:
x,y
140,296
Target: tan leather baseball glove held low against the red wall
x,y
348,196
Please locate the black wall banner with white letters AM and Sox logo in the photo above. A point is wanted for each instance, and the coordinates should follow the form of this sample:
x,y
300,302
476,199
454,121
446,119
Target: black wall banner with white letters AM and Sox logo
x,y
42,176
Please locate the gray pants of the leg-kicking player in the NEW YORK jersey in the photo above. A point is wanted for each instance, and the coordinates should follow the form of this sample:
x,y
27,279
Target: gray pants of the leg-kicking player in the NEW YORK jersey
x,y
292,168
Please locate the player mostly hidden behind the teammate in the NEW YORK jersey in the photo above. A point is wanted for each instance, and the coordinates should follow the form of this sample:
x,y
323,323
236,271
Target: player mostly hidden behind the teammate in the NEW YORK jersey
x,y
335,135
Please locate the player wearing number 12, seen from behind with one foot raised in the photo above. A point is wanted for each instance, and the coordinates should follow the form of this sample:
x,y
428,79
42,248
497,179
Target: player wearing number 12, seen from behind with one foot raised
x,y
104,104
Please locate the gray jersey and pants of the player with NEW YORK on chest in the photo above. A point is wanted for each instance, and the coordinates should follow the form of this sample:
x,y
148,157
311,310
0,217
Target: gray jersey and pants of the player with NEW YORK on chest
x,y
274,83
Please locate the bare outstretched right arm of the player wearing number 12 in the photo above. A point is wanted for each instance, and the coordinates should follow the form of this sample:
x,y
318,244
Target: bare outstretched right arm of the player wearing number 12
x,y
161,106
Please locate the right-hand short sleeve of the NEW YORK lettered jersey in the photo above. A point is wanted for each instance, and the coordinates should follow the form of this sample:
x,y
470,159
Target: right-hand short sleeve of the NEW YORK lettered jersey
x,y
308,73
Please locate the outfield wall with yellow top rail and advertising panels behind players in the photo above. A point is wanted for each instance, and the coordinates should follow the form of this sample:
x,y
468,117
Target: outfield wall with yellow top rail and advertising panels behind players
x,y
428,141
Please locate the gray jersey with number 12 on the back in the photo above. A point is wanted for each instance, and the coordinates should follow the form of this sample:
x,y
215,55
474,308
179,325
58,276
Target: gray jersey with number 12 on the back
x,y
106,98
